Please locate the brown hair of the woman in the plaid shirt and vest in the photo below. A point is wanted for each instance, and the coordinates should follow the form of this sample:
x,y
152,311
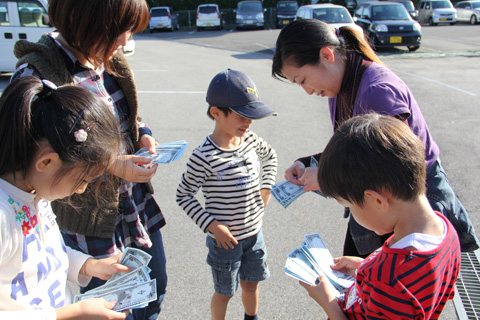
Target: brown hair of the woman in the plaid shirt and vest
x,y
93,26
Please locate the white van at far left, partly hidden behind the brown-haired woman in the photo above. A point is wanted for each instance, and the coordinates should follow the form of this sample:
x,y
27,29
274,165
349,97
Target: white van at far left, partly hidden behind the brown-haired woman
x,y
19,20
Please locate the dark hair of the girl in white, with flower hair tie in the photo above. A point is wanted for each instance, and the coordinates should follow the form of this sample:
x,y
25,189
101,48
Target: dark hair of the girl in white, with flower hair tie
x,y
32,113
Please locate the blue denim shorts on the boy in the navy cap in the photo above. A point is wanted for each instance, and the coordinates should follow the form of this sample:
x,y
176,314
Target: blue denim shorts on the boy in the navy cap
x,y
247,261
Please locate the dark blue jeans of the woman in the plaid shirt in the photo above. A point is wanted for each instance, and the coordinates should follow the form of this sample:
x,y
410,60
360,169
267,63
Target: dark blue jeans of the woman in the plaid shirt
x,y
158,266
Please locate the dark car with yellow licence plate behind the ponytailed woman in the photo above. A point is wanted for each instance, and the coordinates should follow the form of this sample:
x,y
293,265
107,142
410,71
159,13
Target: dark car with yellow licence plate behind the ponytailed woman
x,y
388,24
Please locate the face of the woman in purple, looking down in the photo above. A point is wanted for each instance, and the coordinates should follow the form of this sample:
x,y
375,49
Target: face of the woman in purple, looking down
x,y
323,79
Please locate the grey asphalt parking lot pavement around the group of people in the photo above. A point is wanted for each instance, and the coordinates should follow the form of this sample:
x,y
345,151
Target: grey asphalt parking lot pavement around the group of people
x,y
172,72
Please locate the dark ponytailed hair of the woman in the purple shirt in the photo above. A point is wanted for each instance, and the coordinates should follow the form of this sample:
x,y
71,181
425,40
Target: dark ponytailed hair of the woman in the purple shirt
x,y
300,42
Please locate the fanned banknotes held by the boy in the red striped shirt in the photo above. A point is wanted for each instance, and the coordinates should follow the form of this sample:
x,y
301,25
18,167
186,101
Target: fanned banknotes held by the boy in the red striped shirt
x,y
313,259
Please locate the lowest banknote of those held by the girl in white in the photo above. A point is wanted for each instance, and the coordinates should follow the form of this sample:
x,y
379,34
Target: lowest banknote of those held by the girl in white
x,y
127,296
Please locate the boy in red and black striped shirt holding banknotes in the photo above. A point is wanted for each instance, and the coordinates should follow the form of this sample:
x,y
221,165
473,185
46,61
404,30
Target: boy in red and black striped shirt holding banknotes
x,y
375,165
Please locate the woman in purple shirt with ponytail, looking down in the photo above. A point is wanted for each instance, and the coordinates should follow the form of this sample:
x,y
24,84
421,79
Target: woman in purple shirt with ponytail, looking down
x,y
341,65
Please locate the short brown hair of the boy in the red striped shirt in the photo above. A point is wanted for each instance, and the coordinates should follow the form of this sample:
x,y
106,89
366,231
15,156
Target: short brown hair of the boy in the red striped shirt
x,y
373,152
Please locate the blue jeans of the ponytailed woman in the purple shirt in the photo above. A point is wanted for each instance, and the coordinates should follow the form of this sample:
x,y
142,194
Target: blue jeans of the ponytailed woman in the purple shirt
x,y
441,197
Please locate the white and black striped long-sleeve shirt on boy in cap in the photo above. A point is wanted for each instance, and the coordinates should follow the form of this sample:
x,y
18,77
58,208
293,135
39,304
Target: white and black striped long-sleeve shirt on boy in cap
x,y
231,181
